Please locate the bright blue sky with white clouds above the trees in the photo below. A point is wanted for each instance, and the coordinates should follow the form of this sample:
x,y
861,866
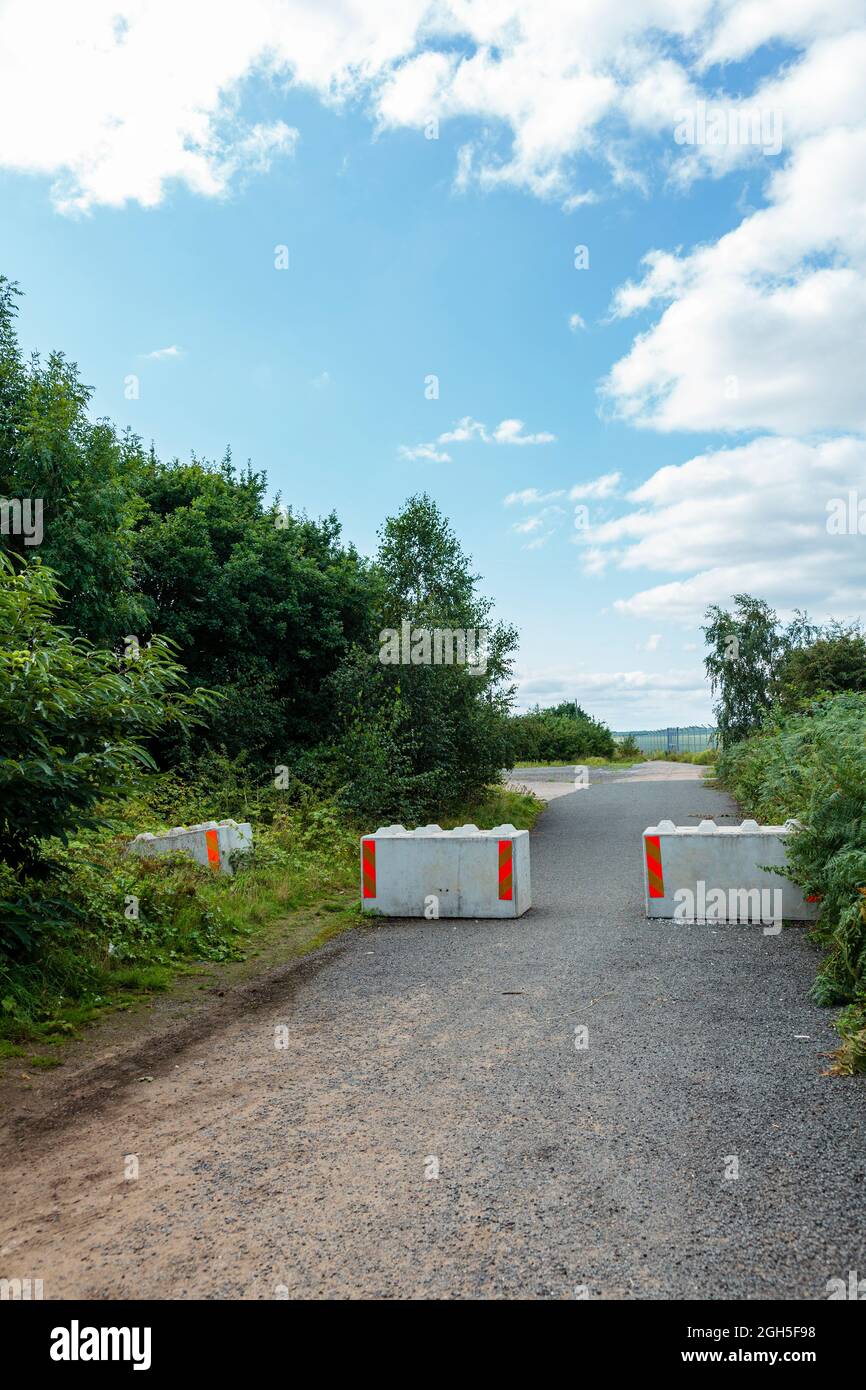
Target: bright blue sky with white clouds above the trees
x,y
455,256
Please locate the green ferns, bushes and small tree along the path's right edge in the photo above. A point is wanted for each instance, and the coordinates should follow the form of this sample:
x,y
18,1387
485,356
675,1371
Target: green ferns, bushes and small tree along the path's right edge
x,y
794,747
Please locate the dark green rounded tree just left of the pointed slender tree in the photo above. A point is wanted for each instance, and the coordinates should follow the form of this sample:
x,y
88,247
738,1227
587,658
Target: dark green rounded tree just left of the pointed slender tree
x,y
262,604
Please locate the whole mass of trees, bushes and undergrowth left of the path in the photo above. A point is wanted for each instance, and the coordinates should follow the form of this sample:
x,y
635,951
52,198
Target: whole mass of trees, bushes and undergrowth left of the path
x,y
180,650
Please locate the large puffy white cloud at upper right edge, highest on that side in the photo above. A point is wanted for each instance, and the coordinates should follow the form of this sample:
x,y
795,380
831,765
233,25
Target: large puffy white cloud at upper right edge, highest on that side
x,y
757,329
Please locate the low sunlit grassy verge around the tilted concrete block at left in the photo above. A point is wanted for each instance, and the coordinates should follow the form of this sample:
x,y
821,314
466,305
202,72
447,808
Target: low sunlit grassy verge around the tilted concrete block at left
x,y
297,892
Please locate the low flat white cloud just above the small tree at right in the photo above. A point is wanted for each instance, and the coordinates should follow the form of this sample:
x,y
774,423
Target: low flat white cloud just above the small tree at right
x,y
751,519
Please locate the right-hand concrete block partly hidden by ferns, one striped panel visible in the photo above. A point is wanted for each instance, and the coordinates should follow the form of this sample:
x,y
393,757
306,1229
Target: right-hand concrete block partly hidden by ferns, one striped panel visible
x,y
715,874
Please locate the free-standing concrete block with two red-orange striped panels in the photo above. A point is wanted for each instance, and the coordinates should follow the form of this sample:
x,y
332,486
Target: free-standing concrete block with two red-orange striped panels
x,y
447,874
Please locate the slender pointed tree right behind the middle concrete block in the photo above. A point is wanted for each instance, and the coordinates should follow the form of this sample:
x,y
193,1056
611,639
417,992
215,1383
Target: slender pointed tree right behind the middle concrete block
x,y
414,740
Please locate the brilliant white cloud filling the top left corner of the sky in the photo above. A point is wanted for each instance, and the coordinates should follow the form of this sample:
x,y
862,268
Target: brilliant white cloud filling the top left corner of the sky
x,y
117,99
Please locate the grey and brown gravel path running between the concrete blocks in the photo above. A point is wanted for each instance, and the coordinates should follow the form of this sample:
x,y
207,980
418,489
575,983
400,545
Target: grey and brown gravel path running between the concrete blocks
x,y
308,1170
